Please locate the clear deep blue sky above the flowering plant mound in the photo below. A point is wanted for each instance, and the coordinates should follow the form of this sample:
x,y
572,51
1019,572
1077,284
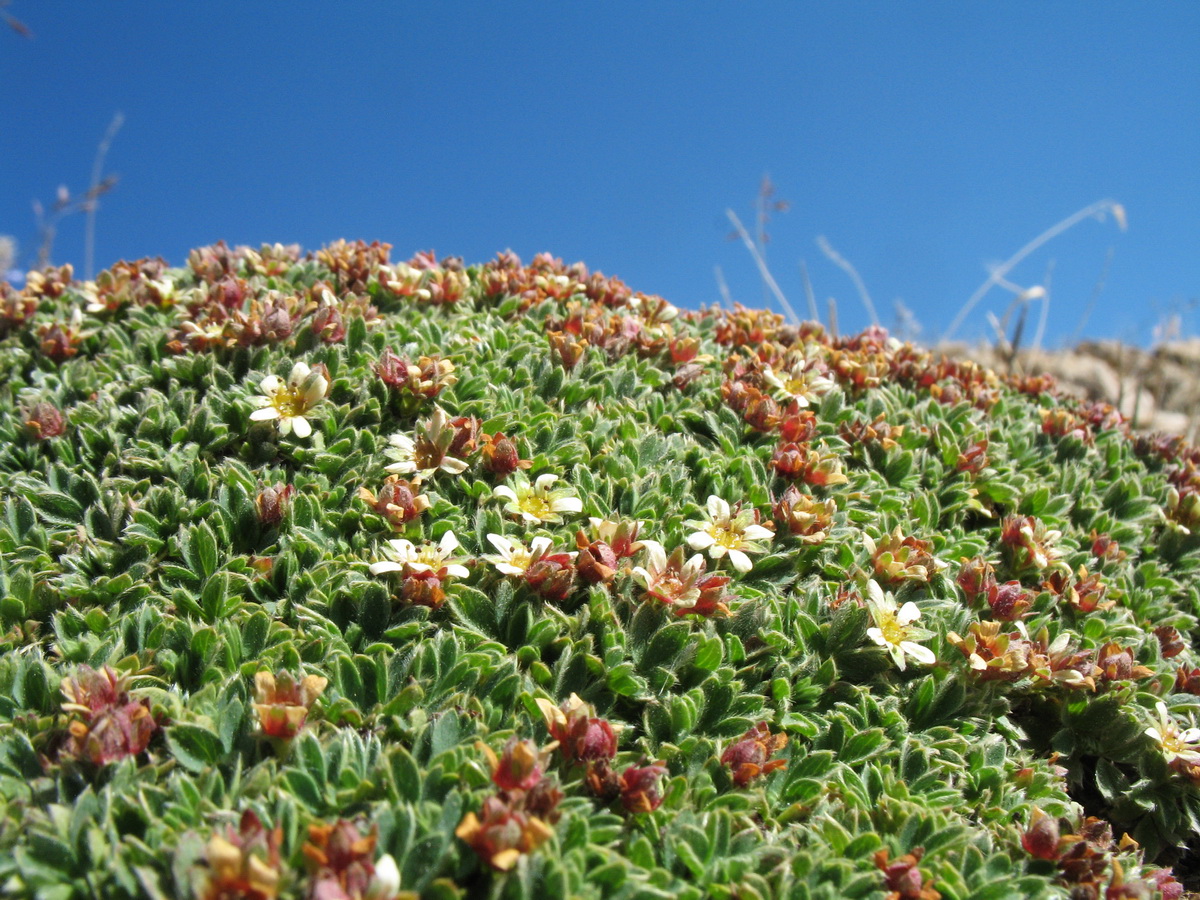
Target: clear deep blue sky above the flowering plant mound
x,y
923,140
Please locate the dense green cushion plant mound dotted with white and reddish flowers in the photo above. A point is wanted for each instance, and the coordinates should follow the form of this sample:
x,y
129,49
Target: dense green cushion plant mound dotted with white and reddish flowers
x,y
332,577
